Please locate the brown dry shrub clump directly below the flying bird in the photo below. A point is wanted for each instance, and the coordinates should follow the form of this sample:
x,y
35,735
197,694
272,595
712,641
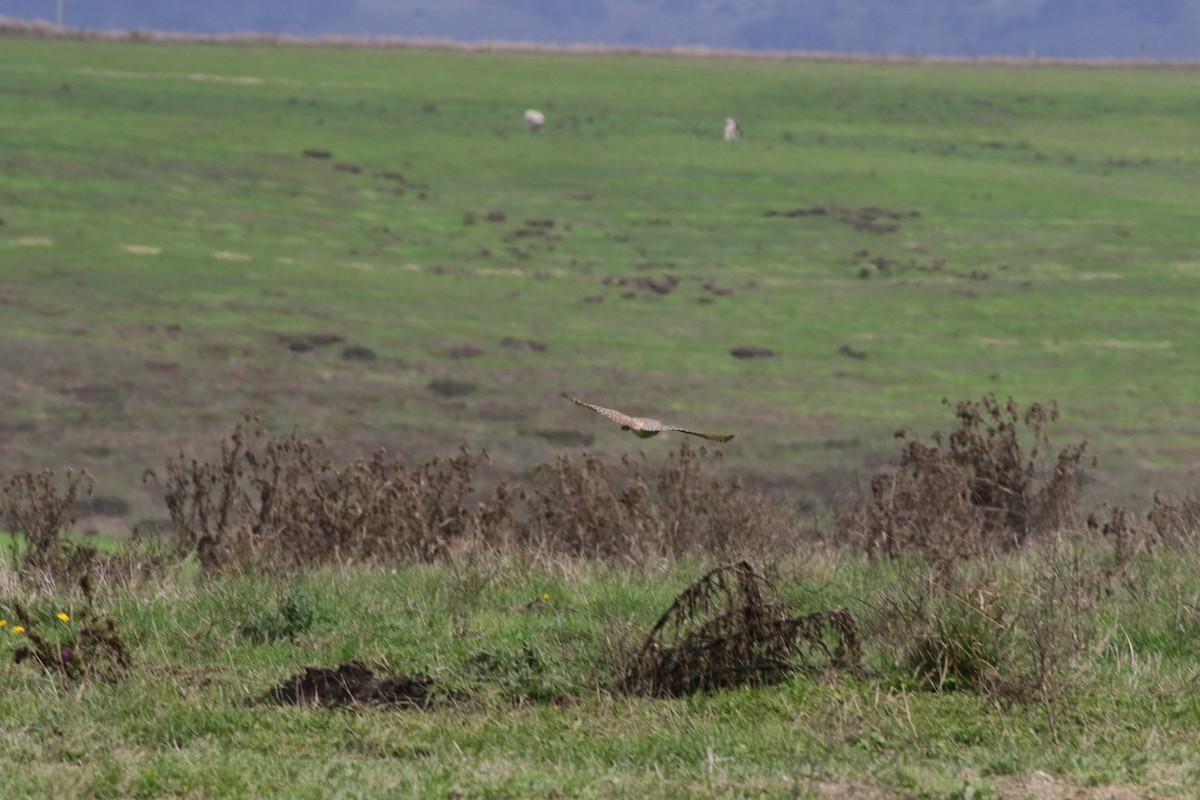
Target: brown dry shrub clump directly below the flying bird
x,y
583,509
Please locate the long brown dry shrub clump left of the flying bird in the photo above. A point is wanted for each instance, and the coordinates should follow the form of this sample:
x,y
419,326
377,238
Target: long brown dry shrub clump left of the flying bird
x,y
280,503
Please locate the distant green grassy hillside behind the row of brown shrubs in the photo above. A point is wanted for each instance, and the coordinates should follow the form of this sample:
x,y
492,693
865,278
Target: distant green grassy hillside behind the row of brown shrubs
x,y
169,248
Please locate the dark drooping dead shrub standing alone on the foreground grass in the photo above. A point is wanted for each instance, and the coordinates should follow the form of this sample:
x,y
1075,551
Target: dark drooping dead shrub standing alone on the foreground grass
x,y
729,629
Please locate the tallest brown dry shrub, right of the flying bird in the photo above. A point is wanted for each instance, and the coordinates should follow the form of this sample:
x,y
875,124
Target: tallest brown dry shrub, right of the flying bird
x,y
977,491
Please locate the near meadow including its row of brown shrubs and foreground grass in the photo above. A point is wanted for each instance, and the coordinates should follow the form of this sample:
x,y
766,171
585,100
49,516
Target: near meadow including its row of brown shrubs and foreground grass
x,y
968,593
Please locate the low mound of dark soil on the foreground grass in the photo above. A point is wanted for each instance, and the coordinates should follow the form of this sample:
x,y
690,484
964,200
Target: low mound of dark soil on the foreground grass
x,y
350,684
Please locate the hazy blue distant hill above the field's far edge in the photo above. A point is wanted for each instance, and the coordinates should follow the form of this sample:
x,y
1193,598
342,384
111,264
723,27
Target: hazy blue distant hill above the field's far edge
x,y
1091,29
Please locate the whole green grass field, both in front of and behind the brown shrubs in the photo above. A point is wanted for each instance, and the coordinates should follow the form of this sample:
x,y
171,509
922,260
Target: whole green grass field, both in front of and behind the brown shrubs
x,y
896,234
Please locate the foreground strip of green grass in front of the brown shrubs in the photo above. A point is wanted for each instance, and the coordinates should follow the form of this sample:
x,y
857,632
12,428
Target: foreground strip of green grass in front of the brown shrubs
x,y
533,652
